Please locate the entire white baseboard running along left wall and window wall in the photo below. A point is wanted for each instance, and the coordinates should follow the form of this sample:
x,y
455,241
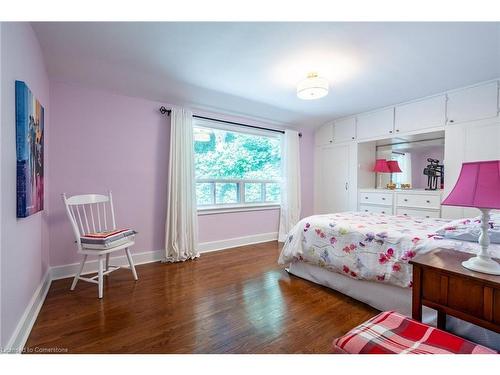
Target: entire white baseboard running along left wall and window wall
x,y
23,329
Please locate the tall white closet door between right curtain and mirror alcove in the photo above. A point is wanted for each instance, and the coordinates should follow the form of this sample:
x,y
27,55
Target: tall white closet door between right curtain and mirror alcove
x,y
334,179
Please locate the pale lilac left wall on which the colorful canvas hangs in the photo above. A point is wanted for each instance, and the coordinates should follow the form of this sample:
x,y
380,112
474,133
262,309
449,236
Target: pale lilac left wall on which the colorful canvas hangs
x,y
24,242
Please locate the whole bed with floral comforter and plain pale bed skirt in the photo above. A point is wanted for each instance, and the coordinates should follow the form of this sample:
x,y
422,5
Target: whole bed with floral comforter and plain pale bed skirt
x,y
366,255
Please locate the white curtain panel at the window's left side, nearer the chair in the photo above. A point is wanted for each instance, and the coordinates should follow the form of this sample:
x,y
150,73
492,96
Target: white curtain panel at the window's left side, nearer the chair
x,y
181,238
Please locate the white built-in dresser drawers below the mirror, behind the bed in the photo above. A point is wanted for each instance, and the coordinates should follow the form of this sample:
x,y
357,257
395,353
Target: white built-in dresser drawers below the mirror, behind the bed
x,y
417,203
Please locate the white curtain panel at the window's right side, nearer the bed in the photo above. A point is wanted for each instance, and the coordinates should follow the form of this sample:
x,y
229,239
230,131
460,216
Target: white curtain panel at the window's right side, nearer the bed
x,y
290,185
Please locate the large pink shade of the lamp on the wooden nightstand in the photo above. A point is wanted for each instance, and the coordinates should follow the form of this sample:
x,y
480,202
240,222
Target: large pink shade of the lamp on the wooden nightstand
x,y
477,186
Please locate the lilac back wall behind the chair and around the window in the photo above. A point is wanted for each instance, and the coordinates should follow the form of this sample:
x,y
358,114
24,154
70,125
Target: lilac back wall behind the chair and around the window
x,y
101,140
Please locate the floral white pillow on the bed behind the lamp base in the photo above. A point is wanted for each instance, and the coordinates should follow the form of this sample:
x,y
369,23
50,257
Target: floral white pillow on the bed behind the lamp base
x,y
470,229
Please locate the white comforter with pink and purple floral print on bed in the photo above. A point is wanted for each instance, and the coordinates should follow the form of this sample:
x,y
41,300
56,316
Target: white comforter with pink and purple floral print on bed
x,y
368,246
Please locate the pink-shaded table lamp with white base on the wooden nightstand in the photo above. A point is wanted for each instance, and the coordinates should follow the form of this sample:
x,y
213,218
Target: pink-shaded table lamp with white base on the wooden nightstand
x,y
479,186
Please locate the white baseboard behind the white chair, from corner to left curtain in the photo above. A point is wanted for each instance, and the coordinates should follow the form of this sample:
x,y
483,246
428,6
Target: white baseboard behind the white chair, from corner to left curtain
x,y
69,270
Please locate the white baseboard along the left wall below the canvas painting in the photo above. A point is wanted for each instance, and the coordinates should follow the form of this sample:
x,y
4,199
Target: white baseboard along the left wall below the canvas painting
x,y
25,324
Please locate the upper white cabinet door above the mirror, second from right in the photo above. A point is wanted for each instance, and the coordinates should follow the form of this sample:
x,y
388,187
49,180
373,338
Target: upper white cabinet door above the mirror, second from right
x,y
422,114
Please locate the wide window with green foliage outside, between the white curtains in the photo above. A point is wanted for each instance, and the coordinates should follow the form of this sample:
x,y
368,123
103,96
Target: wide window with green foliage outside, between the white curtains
x,y
235,168
